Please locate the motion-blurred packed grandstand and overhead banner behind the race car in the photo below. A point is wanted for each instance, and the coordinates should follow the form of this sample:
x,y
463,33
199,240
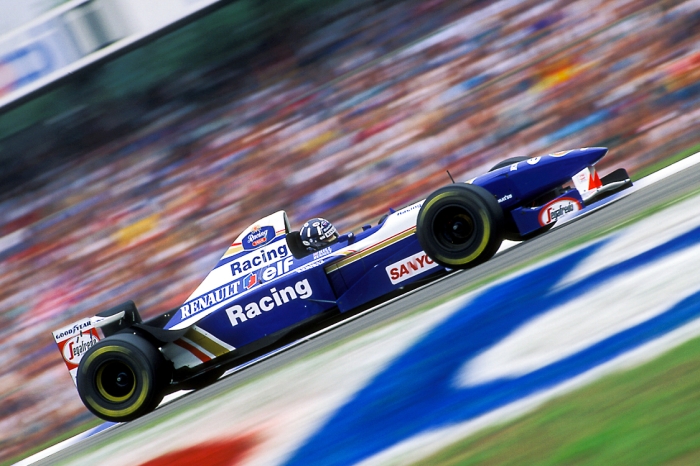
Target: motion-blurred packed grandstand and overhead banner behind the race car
x,y
137,142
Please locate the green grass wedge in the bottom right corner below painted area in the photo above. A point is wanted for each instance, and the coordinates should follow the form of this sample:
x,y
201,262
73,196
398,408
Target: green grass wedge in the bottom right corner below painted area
x,y
645,416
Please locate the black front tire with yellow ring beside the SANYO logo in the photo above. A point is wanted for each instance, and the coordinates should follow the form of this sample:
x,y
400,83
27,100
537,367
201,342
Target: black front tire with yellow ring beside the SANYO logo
x,y
460,226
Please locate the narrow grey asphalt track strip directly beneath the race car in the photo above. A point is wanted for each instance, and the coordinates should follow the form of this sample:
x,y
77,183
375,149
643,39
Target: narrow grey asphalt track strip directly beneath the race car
x,y
611,215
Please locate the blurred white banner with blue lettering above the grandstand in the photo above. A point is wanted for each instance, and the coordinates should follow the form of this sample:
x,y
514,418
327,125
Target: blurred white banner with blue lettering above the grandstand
x,y
39,51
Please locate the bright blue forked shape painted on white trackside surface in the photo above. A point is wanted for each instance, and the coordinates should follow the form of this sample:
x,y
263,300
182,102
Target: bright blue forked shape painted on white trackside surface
x,y
418,392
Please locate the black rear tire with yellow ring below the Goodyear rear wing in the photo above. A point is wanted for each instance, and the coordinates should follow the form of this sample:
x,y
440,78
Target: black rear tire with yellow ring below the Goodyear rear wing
x,y
122,377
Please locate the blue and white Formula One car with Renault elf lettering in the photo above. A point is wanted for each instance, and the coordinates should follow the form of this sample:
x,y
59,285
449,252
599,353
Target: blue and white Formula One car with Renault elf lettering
x,y
273,280
